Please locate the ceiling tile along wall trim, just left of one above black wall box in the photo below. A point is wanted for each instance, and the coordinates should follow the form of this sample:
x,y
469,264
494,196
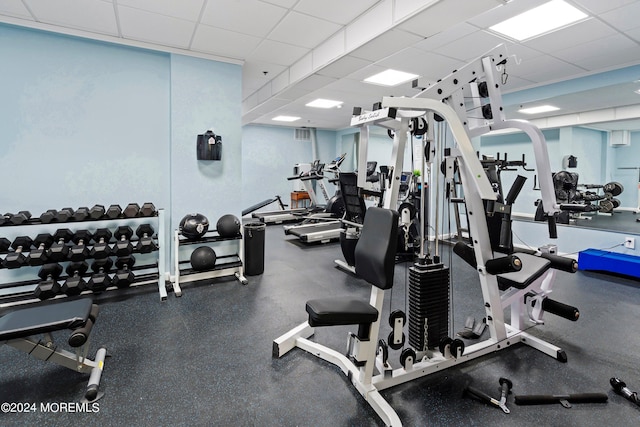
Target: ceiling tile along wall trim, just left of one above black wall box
x,y
161,29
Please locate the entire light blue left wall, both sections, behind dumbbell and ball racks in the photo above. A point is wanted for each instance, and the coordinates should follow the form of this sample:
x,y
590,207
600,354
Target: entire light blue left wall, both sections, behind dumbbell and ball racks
x,y
87,122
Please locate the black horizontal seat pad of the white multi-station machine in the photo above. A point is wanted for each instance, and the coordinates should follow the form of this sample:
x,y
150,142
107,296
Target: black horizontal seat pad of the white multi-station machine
x,y
334,311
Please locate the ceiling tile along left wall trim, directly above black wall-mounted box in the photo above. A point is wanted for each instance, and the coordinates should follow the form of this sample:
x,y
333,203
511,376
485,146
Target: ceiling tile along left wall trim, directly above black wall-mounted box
x,y
222,42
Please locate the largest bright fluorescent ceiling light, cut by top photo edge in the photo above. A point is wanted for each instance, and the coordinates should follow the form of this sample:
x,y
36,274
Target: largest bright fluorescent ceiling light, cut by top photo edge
x,y
543,19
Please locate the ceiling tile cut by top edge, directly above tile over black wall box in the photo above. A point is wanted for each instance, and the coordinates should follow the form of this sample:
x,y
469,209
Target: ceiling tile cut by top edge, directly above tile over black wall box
x,y
251,17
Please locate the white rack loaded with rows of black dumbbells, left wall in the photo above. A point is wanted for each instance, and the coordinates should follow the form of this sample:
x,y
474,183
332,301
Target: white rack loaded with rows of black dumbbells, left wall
x,y
19,286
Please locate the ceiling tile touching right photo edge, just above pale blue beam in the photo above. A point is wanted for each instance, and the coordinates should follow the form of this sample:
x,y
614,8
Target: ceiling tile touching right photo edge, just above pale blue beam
x,y
612,52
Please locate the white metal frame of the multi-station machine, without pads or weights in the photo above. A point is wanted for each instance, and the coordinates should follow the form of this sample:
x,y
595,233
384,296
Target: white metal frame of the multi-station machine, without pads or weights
x,y
396,114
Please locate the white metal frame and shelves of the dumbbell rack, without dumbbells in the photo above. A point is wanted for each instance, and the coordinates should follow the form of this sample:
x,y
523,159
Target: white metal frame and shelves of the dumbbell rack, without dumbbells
x,y
21,290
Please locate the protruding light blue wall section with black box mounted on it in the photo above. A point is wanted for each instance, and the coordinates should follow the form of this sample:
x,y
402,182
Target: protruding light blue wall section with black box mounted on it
x,y
205,95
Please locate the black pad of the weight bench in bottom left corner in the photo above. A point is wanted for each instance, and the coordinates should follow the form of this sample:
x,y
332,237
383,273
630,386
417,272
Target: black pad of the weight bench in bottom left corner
x,y
39,319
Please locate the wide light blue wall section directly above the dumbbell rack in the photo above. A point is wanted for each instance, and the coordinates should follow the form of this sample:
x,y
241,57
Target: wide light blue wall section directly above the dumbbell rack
x,y
82,122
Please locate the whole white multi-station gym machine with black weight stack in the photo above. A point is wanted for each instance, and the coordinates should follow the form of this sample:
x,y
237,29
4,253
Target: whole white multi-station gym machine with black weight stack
x,y
515,281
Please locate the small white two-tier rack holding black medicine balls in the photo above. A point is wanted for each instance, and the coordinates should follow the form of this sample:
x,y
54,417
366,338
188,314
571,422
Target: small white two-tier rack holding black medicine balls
x,y
232,264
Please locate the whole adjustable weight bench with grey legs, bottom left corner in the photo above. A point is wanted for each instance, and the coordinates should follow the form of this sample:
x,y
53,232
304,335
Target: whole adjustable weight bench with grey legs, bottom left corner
x,y
19,327
